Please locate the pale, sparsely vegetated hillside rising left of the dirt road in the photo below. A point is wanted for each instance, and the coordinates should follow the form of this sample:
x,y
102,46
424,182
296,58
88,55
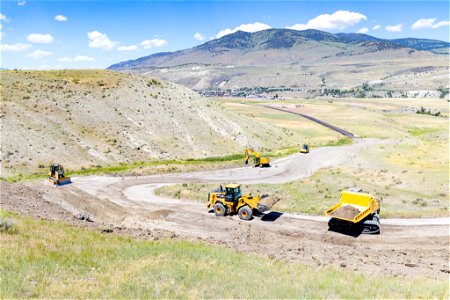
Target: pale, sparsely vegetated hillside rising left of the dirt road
x,y
87,118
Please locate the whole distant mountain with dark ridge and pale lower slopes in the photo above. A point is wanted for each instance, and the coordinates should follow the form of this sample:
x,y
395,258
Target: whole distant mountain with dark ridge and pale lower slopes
x,y
303,61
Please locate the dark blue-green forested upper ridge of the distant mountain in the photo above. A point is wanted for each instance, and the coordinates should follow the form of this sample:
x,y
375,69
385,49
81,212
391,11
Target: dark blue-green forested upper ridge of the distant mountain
x,y
282,39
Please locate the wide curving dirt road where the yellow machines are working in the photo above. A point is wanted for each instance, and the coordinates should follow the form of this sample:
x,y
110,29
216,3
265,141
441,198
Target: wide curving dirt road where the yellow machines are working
x,y
404,248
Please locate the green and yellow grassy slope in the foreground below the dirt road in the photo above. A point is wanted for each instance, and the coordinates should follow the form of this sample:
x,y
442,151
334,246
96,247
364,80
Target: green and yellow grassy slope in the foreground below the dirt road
x,y
43,259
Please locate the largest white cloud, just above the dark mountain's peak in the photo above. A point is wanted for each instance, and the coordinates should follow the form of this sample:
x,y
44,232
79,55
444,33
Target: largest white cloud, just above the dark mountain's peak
x,y
339,20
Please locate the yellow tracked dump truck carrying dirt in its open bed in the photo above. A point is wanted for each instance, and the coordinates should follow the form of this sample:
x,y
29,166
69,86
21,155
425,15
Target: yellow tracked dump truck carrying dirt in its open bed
x,y
356,211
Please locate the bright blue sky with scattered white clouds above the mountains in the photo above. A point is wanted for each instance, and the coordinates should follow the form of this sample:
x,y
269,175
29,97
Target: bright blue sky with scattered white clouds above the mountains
x,y
97,34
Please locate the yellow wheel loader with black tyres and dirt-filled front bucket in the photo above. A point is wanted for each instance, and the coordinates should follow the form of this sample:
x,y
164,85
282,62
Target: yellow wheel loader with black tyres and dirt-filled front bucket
x,y
230,200
